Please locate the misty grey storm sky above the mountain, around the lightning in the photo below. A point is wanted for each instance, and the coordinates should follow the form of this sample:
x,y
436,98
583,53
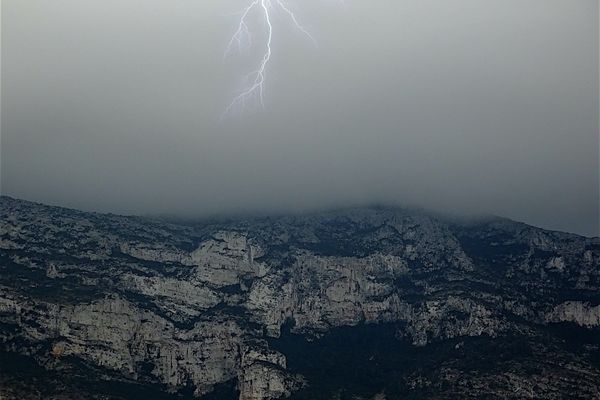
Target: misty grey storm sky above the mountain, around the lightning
x,y
465,106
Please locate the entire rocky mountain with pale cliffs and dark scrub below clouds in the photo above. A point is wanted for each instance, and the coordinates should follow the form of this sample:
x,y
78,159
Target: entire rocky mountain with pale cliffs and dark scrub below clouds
x,y
371,303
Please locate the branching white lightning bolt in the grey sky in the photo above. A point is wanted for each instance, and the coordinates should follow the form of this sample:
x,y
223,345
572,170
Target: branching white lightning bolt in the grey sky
x,y
242,37
